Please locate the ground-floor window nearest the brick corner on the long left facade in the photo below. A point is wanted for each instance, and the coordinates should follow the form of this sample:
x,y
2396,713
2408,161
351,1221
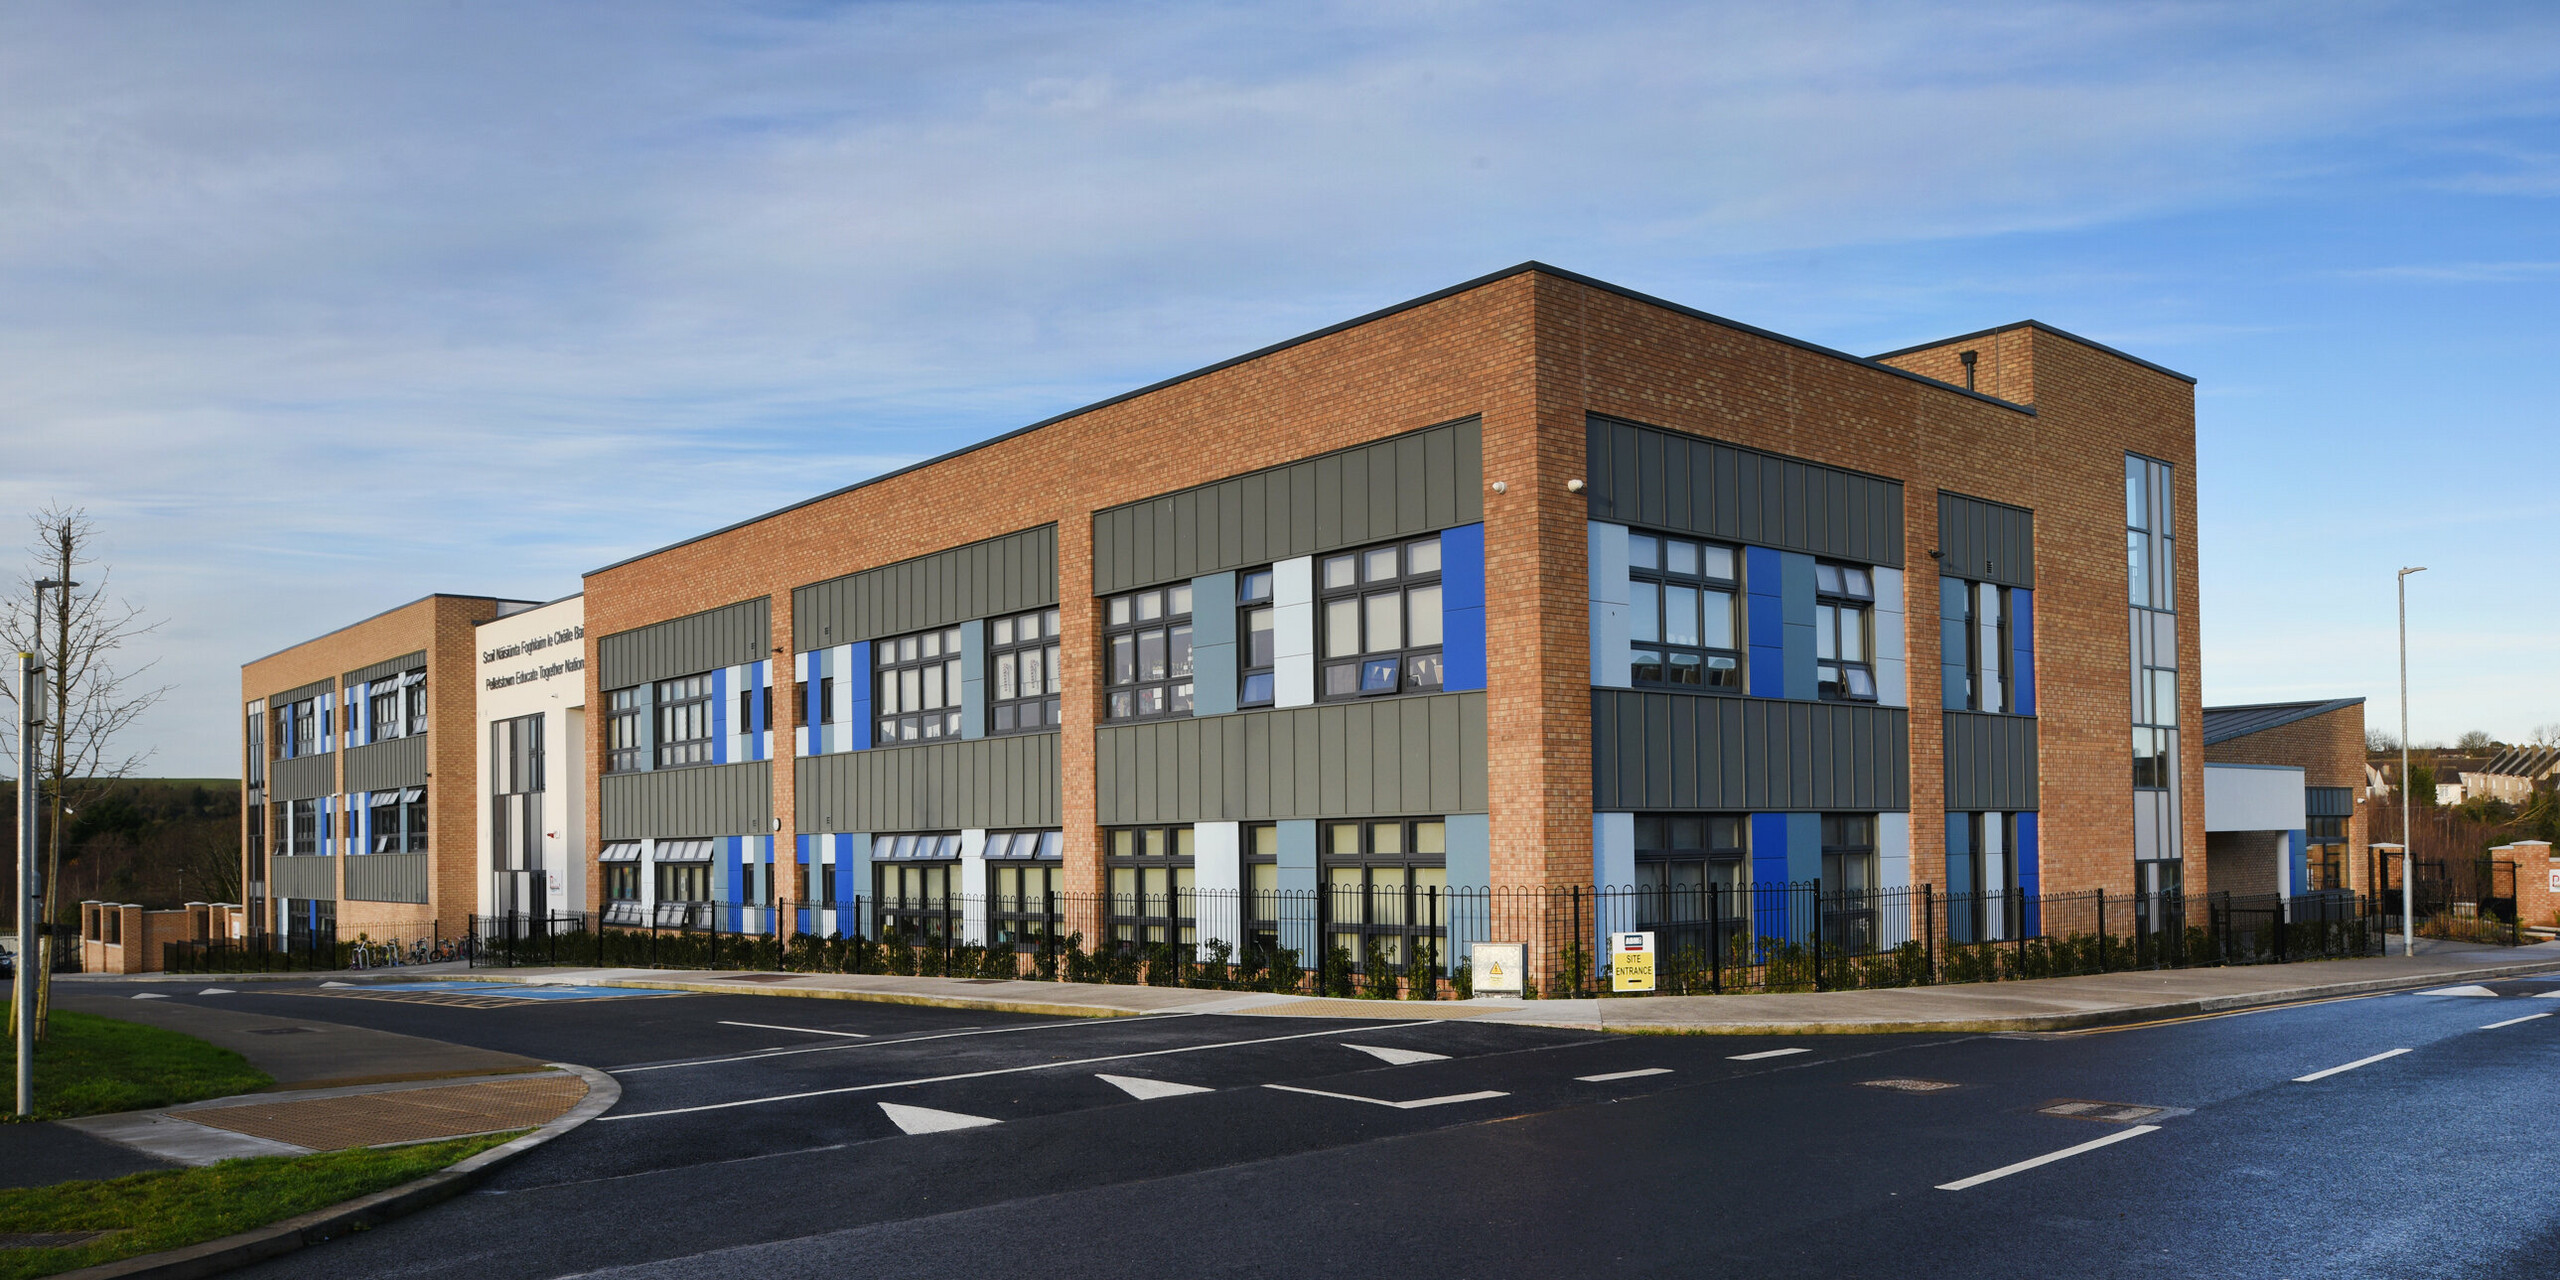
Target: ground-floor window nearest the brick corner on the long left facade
x,y
1386,887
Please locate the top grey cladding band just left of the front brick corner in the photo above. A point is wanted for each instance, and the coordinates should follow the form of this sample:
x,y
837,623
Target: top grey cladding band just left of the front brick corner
x,y
1417,483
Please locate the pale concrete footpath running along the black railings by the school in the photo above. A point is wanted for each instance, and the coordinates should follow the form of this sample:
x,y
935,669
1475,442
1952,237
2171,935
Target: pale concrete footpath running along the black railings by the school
x,y
2044,1005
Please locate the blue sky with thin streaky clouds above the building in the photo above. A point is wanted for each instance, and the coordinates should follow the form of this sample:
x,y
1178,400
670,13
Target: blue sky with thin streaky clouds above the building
x,y
321,308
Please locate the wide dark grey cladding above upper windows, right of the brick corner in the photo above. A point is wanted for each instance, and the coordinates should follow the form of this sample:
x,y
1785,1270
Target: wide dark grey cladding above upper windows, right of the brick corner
x,y
1714,490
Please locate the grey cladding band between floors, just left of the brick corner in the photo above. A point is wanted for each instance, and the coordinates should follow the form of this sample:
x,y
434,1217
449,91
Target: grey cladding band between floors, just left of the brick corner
x,y
1361,759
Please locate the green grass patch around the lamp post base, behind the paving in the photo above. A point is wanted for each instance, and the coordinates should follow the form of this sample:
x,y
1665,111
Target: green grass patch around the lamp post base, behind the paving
x,y
93,1066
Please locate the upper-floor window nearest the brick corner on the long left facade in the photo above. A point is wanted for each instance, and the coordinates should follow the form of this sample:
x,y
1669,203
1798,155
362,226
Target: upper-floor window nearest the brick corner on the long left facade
x,y
1381,613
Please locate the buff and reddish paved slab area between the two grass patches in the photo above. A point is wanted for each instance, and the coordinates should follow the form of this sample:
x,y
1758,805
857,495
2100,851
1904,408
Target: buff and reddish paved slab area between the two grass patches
x,y
411,1115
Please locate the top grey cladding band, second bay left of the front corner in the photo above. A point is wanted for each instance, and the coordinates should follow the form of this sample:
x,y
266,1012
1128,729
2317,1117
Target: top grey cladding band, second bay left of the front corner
x,y
977,580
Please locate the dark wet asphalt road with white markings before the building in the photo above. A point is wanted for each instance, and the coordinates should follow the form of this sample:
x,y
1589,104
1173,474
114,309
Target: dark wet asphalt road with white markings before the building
x,y
959,1143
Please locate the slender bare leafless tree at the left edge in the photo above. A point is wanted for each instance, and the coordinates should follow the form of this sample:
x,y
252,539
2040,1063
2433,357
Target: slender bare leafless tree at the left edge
x,y
81,636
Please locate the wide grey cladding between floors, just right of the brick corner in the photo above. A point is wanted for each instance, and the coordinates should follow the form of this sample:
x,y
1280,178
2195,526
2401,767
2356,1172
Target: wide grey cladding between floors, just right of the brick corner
x,y
1691,751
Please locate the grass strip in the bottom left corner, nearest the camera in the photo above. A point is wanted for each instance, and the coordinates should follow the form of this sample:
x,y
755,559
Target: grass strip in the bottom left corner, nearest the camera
x,y
152,1212
